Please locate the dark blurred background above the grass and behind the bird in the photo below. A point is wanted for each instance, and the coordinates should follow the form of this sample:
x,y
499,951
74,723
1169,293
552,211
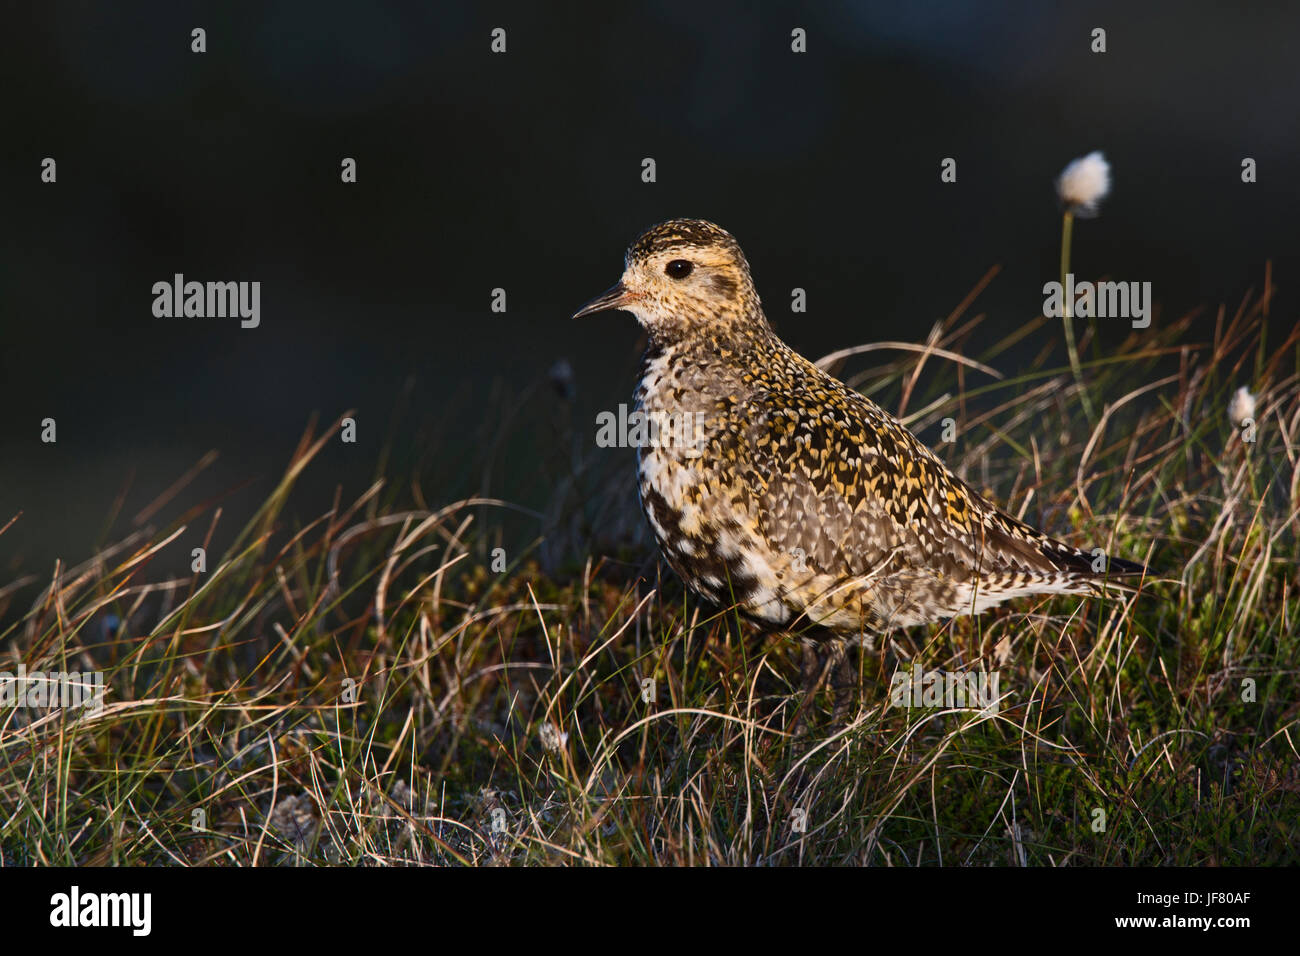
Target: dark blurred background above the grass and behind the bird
x,y
523,171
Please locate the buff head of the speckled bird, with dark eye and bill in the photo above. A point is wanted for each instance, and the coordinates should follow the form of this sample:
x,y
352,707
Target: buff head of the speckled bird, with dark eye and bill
x,y
686,278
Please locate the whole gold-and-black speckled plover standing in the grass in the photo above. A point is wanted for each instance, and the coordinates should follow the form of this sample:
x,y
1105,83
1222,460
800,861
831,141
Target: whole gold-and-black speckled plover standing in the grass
x,y
804,504
